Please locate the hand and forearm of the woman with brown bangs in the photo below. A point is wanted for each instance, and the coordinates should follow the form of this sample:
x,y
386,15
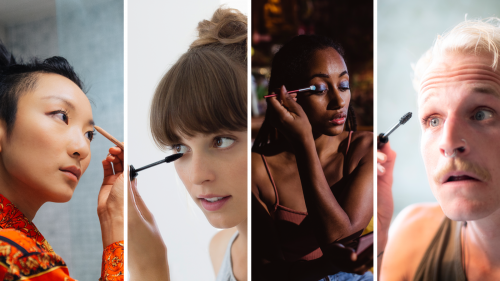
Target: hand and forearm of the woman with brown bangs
x,y
147,254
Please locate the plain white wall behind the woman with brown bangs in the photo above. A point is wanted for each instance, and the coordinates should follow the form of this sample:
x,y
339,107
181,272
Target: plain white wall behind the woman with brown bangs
x,y
158,33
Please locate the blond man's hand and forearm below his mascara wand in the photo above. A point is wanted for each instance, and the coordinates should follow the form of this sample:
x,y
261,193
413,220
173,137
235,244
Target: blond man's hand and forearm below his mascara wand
x,y
385,204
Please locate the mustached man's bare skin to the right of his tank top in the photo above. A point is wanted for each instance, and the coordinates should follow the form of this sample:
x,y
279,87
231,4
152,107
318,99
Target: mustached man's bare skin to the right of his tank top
x,y
483,239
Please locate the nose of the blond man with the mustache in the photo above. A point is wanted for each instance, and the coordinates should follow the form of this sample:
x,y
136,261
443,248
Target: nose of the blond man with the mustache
x,y
453,142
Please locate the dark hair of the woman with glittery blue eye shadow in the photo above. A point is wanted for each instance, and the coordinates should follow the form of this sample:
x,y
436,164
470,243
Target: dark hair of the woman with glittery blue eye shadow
x,y
288,68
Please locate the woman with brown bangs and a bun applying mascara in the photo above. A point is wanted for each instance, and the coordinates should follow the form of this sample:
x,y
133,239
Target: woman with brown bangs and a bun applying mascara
x,y
199,109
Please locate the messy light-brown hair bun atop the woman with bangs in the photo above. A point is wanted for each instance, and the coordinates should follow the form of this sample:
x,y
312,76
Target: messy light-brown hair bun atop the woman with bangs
x,y
228,27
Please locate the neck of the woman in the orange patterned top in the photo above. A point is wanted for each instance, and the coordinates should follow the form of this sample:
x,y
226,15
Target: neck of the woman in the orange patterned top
x,y
19,194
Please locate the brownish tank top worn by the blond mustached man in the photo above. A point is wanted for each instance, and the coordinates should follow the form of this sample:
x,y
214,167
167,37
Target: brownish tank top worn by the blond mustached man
x,y
443,259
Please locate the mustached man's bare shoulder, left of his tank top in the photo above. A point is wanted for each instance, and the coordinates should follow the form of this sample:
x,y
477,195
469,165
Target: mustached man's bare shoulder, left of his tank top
x,y
409,237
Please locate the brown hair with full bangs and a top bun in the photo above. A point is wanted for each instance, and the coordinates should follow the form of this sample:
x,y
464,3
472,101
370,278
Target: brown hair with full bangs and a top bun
x,y
205,91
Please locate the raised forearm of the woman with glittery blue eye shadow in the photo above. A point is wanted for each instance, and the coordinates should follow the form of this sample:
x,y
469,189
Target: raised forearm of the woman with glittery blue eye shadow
x,y
330,221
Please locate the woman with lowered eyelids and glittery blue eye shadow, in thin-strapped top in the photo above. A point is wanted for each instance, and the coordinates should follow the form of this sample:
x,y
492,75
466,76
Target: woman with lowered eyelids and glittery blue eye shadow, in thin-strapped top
x,y
312,172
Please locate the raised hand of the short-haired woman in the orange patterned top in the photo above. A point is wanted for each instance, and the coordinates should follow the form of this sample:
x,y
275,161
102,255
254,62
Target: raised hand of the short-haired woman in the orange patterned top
x,y
110,199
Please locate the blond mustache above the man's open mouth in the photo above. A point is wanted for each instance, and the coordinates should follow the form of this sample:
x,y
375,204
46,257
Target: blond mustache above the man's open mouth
x,y
458,164
